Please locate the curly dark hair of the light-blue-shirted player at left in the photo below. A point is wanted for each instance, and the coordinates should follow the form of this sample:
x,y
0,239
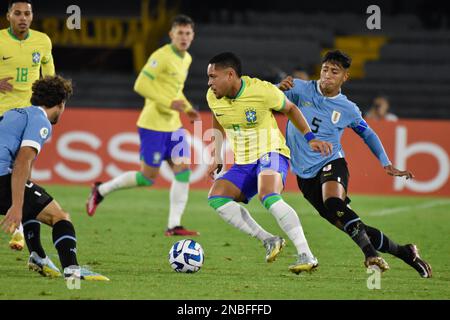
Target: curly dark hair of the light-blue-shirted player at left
x,y
51,91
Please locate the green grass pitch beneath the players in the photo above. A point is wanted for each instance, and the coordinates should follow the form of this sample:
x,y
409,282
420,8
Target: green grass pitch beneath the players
x,y
125,242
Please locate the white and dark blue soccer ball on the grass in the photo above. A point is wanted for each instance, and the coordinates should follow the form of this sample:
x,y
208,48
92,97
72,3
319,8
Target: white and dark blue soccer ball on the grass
x,y
186,256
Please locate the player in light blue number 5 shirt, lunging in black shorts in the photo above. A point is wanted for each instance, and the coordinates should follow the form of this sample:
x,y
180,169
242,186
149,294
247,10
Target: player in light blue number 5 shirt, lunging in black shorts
x,y
324,181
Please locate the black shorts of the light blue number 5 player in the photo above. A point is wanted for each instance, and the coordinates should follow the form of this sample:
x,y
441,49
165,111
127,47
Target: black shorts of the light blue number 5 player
x,y
335,170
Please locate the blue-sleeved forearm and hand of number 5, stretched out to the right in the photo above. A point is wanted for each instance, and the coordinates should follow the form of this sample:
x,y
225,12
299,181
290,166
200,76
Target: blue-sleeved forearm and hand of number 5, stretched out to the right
x,y
372,140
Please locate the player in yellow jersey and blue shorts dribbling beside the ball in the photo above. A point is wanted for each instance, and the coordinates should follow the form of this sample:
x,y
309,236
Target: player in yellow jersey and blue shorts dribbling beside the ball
x,y
242,109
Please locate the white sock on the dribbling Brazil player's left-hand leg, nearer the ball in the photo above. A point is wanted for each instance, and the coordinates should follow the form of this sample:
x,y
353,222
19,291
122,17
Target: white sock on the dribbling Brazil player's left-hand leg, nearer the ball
x,y
238,216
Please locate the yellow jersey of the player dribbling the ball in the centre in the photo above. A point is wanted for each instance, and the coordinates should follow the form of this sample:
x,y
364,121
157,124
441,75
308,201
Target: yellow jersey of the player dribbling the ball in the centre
x,y
248,119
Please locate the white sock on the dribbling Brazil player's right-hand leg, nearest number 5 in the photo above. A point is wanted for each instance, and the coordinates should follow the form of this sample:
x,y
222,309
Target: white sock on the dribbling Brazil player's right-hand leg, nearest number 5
x,y
290,223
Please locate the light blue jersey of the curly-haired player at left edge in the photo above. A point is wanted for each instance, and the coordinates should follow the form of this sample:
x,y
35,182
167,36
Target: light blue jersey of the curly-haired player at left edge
x,y
19,128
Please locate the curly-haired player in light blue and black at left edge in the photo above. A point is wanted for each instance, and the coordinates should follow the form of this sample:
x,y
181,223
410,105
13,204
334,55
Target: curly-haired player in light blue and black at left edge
x,y
24,132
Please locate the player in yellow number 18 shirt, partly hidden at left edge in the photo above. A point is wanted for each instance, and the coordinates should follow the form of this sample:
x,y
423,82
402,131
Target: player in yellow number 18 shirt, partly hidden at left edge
x,y
24,53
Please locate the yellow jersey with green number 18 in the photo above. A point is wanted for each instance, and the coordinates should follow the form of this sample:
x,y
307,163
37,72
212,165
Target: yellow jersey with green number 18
x,y
22,60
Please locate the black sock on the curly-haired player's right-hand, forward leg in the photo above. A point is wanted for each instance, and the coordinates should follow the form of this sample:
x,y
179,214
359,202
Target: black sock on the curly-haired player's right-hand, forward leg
x,y
65,243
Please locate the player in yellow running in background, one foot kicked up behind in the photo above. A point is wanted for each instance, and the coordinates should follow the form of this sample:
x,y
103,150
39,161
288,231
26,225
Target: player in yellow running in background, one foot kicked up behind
x,y
162,136
